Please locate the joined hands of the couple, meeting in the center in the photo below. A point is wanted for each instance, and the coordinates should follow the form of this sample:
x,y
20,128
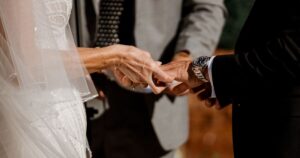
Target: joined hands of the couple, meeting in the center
x,y
134,68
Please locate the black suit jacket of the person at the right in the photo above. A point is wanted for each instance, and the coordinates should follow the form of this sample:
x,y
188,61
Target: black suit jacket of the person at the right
x,y
262,81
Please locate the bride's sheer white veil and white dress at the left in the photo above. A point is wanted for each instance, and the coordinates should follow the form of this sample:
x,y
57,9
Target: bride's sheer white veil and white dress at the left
x,y
42,82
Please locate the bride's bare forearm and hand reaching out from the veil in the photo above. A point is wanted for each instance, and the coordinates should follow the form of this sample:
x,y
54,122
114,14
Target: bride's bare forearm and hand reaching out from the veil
x,y
133,68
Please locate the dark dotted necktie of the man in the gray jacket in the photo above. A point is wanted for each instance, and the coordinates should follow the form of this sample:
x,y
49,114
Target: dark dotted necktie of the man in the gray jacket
x,y
108,22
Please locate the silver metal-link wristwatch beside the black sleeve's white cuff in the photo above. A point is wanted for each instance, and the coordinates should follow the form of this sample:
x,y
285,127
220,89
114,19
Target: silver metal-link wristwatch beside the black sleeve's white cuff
x,y
199,66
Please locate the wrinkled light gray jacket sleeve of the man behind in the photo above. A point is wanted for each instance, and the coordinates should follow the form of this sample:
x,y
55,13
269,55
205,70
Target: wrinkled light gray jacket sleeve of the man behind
x,y
201,26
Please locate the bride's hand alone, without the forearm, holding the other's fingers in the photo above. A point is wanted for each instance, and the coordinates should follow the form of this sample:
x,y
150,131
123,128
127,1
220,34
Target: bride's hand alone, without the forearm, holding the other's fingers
x,y
135,70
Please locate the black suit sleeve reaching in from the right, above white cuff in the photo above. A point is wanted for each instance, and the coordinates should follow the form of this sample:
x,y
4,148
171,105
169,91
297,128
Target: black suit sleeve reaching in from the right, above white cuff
x,y
277,62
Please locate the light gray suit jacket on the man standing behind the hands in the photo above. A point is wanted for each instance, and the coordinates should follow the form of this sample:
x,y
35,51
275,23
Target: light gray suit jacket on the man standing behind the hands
x,y
157,23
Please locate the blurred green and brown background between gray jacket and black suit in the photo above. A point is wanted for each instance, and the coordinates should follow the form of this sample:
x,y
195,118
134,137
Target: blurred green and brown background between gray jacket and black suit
x,y
210,129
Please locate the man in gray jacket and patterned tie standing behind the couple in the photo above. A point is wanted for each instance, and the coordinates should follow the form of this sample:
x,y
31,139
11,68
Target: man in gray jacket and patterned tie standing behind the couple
x,y
137,125
